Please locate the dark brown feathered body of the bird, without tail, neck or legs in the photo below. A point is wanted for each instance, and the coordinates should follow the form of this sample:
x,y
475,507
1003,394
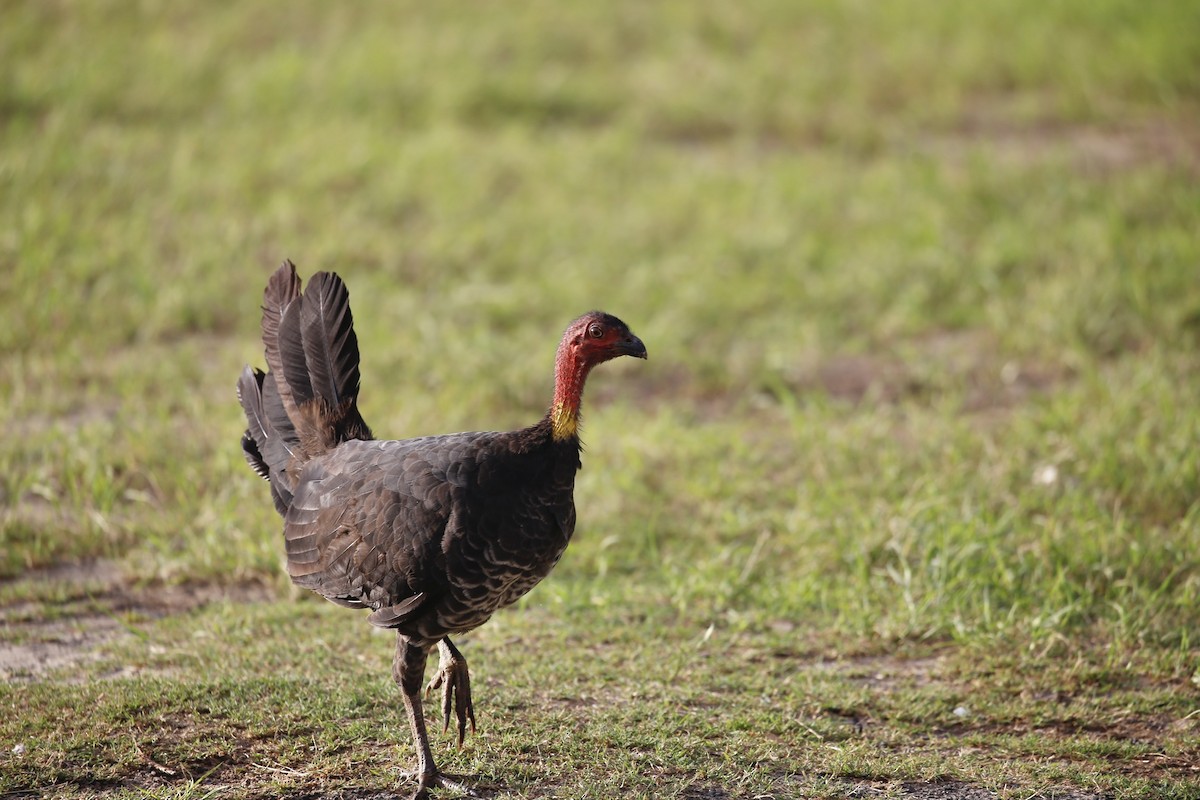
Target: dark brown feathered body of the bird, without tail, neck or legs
x,y
389,526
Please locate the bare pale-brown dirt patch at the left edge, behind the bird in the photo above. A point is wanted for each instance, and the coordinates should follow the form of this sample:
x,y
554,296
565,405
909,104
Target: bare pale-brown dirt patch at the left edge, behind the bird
x,y
93,605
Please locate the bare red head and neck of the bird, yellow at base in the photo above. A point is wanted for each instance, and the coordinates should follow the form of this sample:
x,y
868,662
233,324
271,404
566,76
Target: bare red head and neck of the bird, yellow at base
x,y
593,339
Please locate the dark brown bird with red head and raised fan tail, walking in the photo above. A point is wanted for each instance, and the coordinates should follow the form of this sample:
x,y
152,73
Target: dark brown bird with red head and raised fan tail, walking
x,y
433,536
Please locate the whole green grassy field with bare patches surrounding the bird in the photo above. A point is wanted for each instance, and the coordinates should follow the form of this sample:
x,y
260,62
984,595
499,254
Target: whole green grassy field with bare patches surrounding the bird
x,y
905,501
